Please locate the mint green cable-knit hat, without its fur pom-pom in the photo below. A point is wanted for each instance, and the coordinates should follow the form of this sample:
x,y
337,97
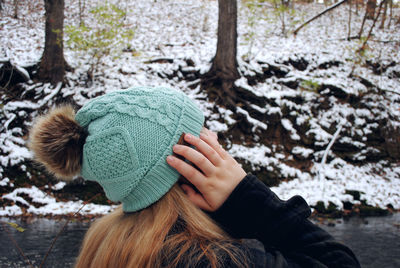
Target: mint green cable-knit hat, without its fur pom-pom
x,y
130,134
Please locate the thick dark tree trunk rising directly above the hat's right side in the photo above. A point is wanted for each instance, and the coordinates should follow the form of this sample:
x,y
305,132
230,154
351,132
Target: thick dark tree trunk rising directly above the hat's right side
x,y
224,69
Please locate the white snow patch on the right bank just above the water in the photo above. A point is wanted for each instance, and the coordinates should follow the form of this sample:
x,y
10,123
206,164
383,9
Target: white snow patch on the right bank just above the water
x,y
377,191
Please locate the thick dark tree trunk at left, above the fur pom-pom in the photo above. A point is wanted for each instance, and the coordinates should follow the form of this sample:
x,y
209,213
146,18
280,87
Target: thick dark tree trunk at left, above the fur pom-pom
x,y
52,65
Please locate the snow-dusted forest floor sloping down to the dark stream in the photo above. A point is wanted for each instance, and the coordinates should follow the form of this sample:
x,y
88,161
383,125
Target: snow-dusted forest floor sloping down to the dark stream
x,y
316,117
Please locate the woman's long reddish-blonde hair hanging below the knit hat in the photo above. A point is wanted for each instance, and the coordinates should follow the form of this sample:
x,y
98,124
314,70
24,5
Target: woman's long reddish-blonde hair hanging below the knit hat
x,y
169,233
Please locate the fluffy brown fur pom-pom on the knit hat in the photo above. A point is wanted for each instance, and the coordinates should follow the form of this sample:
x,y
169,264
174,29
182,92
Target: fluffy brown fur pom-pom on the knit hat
x,y
57,142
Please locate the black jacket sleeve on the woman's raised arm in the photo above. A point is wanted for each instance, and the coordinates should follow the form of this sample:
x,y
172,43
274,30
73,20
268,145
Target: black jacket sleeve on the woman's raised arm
x,y
289,238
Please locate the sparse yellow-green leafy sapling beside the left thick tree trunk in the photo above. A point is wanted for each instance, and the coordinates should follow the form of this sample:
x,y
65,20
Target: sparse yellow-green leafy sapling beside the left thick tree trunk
x,y
108,35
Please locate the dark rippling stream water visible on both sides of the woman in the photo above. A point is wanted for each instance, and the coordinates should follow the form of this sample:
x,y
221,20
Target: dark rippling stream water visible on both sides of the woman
x,y
376,241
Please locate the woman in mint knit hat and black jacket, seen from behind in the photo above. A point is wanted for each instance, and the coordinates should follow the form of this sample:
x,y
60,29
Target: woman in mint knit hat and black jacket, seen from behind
x,y
126,141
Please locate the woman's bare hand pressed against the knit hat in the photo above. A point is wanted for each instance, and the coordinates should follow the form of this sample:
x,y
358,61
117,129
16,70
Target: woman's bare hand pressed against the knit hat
x,y
219,172
